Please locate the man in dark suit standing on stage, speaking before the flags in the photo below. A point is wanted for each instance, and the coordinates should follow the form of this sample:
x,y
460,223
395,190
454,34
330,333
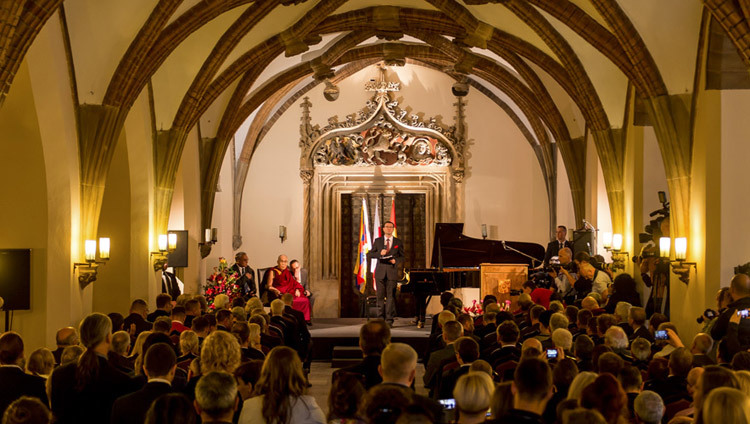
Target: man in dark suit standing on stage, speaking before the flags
x,y
389,252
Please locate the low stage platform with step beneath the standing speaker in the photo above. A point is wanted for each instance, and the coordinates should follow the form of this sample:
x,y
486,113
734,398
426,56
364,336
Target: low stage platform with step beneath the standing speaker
x,y
328,333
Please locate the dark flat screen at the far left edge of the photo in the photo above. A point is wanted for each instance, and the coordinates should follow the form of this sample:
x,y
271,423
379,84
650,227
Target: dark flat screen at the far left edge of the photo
x,y
15,278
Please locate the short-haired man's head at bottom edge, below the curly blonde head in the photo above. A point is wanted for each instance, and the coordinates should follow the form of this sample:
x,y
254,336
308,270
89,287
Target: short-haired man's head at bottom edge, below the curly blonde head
x,y
216,397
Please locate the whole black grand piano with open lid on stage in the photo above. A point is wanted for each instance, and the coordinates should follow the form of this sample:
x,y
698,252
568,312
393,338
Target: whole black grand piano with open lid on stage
x,y
456,260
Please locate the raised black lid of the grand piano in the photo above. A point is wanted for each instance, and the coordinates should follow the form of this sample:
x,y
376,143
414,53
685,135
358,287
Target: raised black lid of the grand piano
x,y
458,250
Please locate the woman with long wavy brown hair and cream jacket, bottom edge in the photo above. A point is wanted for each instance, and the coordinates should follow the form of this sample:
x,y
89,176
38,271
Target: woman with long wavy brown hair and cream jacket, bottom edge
x,y
281,393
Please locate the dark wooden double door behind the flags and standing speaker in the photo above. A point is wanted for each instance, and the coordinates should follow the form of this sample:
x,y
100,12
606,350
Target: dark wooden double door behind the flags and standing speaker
x,y
410,229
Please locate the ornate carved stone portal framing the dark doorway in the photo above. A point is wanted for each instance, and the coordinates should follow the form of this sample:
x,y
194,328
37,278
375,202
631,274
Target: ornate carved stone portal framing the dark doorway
x,y
380,149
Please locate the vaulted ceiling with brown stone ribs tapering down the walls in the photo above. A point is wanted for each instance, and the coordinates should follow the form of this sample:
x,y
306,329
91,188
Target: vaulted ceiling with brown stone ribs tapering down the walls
x,y
564,70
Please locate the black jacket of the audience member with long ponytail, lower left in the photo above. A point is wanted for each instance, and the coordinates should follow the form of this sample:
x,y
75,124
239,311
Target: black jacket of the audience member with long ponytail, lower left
x,y
94,403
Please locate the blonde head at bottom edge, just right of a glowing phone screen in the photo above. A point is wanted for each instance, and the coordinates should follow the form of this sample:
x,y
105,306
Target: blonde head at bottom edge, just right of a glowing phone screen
x,y
473,393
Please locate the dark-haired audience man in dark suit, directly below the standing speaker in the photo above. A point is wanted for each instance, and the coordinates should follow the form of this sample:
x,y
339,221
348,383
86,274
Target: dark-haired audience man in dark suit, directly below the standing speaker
x,y
374,336
